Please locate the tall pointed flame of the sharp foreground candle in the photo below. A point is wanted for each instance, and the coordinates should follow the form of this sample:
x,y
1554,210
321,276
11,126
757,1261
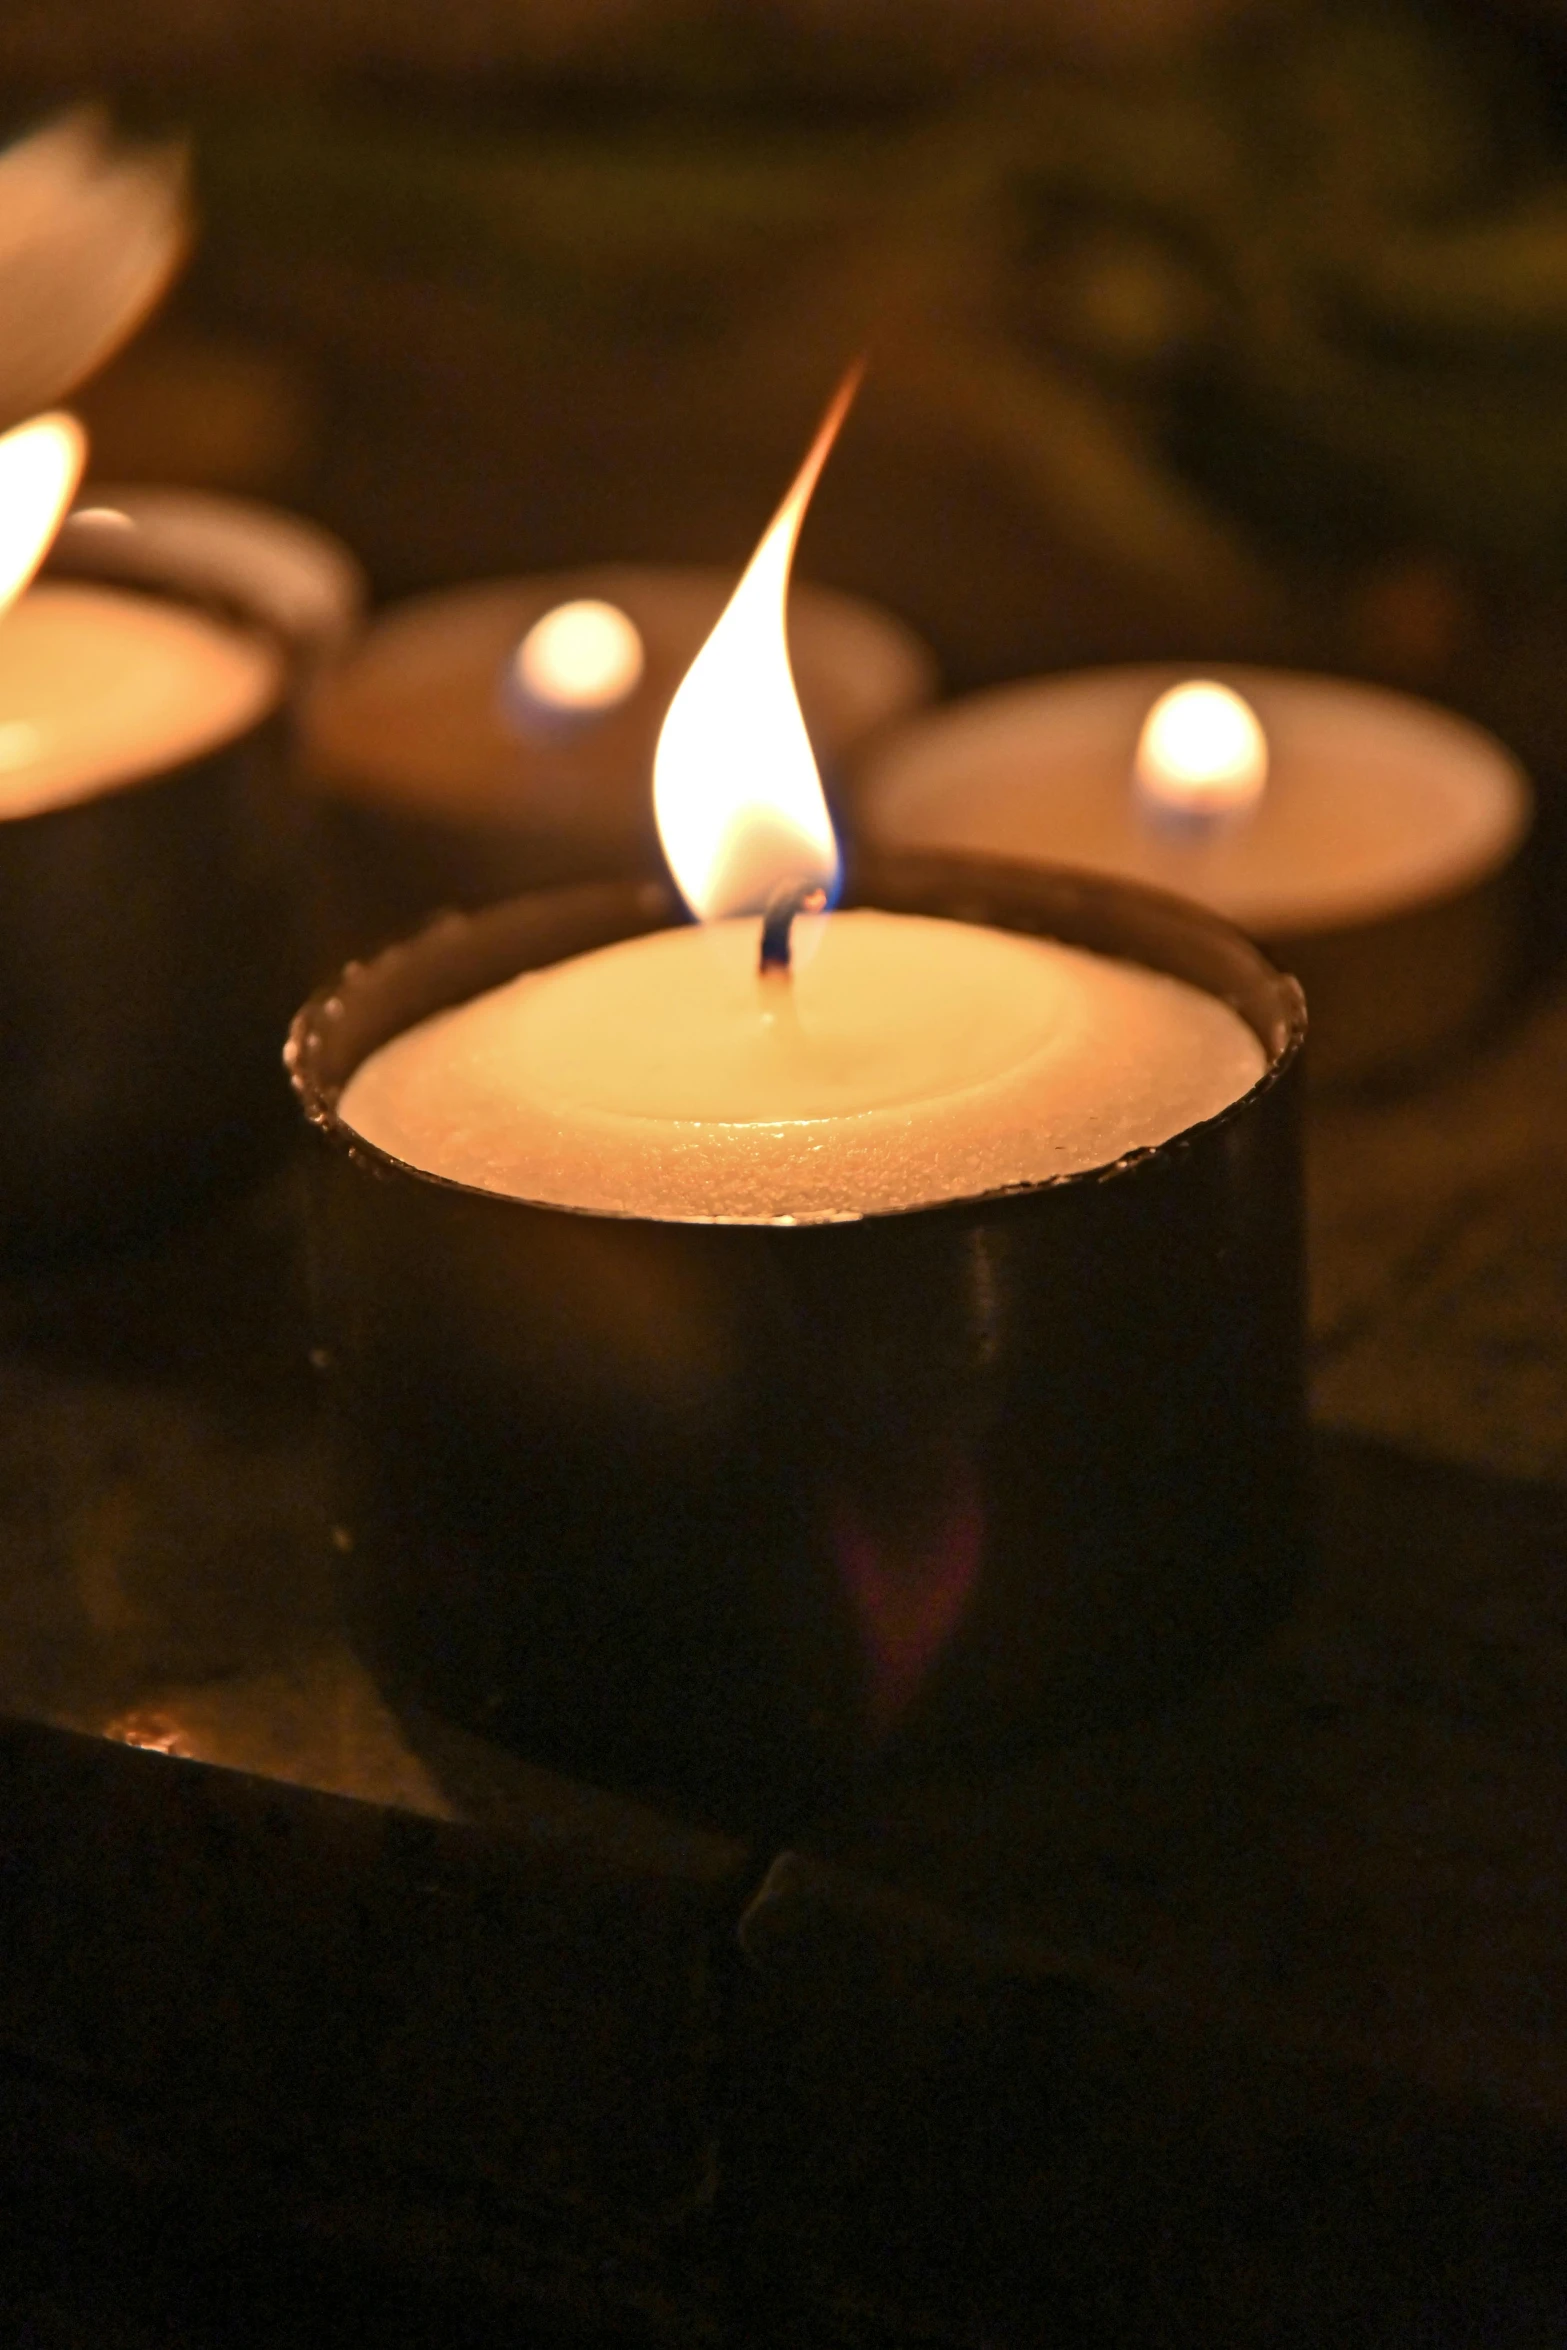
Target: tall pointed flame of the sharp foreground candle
x,y
737,793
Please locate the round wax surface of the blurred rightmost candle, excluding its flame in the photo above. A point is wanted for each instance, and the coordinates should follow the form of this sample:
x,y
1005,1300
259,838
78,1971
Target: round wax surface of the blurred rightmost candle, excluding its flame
x,y
1376,803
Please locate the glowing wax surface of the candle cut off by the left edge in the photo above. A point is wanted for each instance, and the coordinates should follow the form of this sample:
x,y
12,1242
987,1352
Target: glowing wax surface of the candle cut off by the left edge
x,y
100,687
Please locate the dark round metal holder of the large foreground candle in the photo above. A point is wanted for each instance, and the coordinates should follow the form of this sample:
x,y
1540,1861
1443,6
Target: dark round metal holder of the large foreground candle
x,y
737,1515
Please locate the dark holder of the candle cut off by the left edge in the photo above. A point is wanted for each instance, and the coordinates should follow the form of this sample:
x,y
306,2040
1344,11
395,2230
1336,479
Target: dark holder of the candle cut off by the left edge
x,y
149,958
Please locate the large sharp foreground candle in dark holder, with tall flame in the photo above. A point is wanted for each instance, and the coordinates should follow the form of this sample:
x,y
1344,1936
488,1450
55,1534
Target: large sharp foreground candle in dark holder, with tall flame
x,y
805,1336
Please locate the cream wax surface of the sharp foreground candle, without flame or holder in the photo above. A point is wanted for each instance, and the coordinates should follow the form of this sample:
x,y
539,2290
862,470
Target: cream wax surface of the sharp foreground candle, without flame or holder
x,y
908,1061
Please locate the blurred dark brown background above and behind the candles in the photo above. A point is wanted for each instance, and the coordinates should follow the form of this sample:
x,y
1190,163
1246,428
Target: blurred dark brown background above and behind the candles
x,y
1197,325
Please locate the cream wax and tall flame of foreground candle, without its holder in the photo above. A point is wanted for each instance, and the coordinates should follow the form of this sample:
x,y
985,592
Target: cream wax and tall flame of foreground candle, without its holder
x,y
908,1061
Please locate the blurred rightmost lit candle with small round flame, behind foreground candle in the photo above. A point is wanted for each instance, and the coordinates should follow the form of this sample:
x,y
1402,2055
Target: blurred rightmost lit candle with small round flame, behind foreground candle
x,y
1361,833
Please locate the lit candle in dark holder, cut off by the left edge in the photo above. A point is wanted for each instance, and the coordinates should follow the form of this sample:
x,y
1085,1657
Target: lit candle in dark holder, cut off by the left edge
x,y
144,880
